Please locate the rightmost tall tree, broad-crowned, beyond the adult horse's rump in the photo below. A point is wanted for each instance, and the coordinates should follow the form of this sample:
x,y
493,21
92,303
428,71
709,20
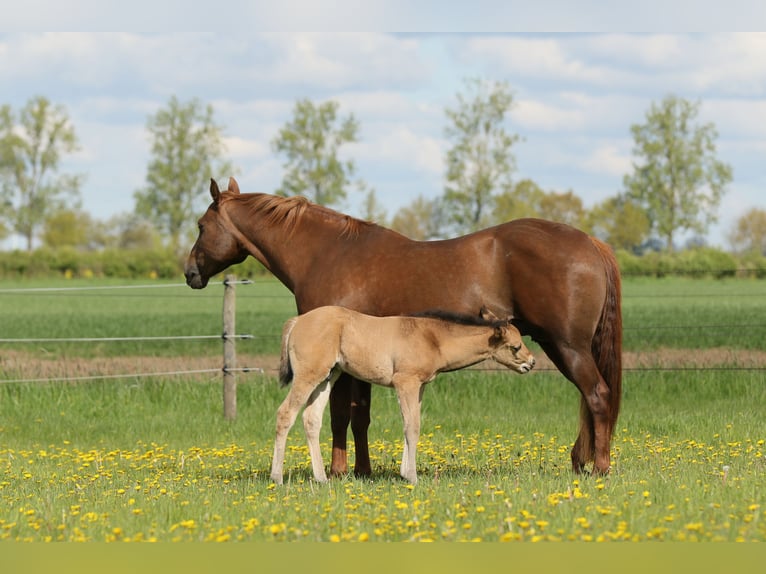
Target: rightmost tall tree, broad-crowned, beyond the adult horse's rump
x,y
677,178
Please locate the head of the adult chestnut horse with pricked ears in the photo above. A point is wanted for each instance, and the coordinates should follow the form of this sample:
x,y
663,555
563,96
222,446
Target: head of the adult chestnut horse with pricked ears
x,y
216,247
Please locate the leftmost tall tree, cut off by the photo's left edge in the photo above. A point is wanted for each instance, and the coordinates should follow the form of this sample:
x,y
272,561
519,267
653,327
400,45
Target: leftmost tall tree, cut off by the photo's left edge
x,y
32,143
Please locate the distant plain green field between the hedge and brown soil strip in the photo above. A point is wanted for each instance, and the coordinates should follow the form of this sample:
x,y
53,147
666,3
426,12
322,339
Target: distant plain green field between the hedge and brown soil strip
x,y
672,313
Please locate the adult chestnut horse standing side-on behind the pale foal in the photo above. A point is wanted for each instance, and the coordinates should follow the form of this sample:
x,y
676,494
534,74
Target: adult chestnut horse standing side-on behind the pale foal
x,y
561,286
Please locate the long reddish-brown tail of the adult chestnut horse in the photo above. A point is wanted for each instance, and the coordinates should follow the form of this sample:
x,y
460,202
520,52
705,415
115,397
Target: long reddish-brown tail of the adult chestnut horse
x,y
607,341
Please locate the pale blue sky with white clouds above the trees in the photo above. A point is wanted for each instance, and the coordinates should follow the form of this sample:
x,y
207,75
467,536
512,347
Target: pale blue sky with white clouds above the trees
x,y
576,95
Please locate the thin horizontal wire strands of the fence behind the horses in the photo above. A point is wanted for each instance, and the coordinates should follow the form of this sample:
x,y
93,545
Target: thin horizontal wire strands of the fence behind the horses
x,y
122,290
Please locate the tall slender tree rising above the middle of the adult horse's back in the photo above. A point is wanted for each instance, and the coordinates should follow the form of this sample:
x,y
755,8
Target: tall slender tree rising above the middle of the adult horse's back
x,y
480,161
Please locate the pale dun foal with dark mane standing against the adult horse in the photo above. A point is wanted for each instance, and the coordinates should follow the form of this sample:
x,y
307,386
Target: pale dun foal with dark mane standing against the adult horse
x,y
400,352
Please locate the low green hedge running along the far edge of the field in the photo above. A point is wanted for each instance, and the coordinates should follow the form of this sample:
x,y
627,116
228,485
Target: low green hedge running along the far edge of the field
x,y
701,262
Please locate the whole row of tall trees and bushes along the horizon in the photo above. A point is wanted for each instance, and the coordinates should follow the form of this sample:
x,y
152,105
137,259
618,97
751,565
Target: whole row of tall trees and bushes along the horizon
x,y
675,186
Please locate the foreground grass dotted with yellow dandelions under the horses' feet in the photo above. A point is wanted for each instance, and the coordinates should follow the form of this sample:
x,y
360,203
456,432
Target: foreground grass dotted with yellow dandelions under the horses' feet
x,y
155,460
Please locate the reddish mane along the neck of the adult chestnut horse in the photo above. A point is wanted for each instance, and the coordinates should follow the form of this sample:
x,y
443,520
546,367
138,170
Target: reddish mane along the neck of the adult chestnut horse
x,y
288,211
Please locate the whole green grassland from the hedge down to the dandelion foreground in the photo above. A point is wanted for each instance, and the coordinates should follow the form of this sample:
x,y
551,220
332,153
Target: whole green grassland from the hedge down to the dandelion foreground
x,y
151,458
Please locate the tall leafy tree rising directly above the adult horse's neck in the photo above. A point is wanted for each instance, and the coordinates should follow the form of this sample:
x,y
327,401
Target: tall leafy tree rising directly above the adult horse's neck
x,y
311,143
